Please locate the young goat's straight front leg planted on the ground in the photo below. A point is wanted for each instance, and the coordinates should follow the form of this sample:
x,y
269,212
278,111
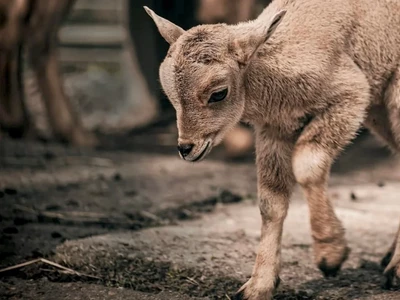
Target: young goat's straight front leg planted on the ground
x,y
275,183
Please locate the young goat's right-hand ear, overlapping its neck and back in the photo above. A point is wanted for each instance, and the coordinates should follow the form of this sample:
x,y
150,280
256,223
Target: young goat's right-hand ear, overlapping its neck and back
x,y
246,51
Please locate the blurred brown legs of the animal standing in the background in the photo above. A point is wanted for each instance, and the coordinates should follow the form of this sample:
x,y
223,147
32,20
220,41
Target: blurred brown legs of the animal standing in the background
x,y
32,25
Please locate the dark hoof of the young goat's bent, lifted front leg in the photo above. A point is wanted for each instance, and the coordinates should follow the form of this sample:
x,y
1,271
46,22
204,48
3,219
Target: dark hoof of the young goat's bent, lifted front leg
x,y
330,263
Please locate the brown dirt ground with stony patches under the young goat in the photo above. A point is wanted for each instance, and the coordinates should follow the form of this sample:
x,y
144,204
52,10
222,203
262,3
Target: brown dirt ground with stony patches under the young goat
x,y
132,221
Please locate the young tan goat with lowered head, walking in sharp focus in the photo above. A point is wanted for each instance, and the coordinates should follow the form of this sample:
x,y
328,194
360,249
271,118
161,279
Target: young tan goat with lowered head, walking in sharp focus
x,y
307,75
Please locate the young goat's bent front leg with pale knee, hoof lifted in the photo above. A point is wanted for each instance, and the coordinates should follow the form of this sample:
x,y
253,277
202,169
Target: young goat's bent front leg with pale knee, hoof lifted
x,y
317,147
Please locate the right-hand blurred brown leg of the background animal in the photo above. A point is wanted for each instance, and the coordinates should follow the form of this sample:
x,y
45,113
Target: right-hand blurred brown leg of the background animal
x,y
42,48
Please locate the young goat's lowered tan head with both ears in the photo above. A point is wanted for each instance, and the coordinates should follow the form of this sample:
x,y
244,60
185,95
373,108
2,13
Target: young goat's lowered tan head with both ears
x,y
203,77
